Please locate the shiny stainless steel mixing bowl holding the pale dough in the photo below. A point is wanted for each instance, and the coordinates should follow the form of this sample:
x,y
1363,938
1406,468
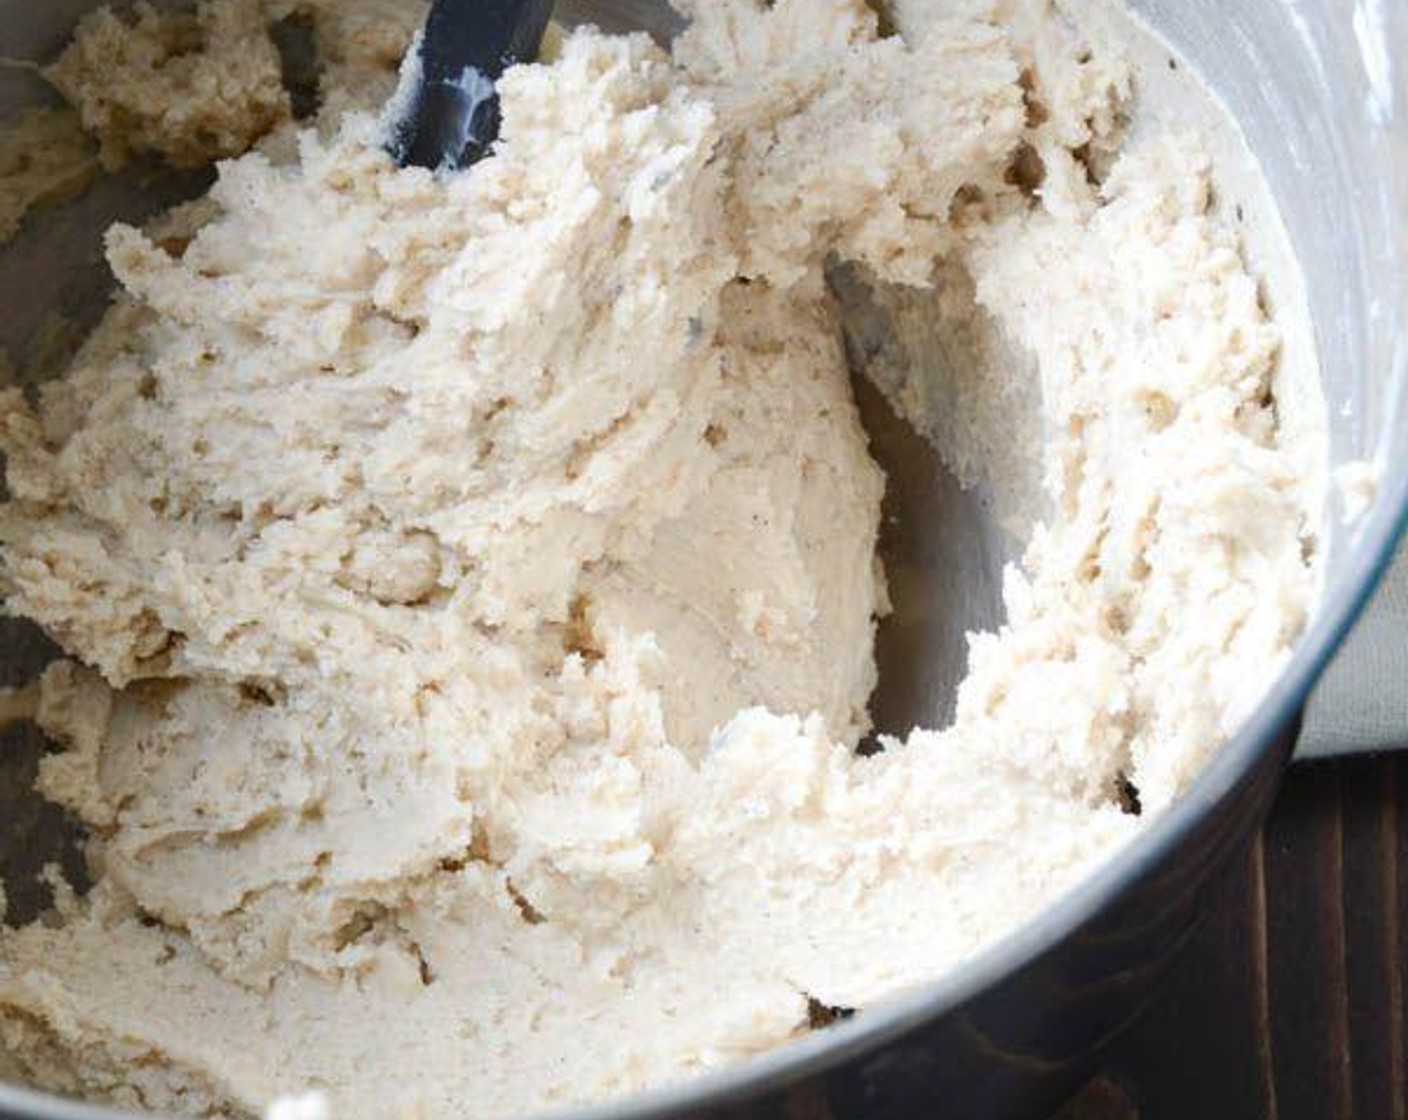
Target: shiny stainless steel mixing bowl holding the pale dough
x,y
1319,89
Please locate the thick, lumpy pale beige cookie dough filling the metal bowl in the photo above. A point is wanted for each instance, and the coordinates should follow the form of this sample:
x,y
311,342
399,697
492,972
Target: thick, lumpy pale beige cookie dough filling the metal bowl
x,y
471,581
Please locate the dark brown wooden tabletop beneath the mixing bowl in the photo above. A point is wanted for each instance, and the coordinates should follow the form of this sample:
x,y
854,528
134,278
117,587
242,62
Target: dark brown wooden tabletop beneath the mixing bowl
x,y
1292,1002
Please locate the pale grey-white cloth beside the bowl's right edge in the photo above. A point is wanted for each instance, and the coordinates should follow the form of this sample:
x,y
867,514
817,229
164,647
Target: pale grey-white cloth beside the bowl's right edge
x,y
1362,702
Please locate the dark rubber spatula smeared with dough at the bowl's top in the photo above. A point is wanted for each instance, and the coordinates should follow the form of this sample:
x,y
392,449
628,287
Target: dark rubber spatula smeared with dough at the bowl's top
x,y
451,118
